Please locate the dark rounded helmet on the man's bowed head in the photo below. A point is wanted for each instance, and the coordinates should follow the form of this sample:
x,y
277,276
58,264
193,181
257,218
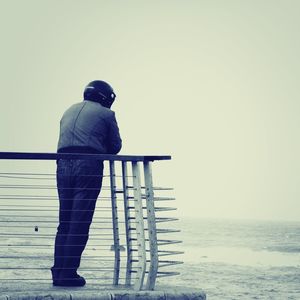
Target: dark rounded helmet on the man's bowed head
x,y
100,91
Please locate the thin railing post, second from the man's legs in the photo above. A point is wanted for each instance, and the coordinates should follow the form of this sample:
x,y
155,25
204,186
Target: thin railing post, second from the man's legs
x,y
127,223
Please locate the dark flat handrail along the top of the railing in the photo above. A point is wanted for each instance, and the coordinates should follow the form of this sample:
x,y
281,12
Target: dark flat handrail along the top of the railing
x,y
55,156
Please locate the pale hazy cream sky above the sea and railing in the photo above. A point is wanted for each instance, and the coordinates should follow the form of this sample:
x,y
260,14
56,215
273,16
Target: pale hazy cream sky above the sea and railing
x,y
213,83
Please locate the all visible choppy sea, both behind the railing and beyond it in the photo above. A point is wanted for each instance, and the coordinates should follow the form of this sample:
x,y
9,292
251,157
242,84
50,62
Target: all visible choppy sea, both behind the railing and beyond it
x,y
228,259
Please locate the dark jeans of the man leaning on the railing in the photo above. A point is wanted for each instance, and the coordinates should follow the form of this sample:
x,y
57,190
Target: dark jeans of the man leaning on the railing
x,y
78,184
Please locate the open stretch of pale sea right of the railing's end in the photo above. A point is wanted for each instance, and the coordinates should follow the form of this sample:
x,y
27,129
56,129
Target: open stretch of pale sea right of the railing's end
x,y
237,259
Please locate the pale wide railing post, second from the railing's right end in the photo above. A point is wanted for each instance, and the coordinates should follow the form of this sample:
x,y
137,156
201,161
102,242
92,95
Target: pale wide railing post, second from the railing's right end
x,y
138,208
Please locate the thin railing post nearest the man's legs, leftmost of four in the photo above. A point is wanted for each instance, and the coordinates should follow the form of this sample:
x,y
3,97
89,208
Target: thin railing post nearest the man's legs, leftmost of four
x,y
115,221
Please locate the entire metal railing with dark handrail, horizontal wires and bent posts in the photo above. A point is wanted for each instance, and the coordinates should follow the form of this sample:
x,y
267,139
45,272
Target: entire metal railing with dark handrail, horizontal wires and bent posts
x,y
125,245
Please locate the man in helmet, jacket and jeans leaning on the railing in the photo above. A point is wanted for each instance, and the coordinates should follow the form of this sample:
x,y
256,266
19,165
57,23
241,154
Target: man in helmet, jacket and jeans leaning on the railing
x,y
86,127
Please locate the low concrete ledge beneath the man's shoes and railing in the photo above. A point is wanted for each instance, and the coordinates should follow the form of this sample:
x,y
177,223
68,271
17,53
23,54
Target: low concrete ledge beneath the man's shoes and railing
x,y
170,293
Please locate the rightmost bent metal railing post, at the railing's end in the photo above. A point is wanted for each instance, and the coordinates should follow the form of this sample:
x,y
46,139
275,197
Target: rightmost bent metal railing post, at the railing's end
x,y
151,227
